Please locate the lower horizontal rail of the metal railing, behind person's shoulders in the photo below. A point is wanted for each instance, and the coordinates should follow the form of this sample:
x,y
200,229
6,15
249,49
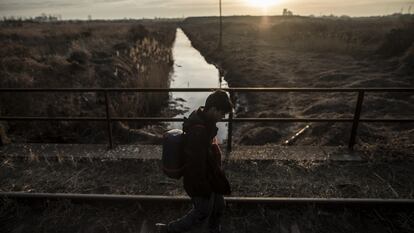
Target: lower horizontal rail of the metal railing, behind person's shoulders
x,y
162,119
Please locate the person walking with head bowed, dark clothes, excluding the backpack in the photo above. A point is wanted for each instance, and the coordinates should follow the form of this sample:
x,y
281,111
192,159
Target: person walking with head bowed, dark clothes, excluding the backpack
x,y
203,178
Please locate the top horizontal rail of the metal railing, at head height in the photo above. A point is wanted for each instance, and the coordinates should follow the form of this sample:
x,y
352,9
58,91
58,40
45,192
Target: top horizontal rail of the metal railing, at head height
x,y
254,89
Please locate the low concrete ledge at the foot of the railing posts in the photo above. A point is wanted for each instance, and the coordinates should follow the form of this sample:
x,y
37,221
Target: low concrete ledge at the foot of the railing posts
x,y
145,152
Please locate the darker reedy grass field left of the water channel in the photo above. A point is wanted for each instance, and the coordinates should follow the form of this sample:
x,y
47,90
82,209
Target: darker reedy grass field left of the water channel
x,y
124,54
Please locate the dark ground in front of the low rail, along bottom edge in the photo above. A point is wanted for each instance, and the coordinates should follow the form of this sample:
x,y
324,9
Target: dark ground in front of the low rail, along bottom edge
x,y
141,217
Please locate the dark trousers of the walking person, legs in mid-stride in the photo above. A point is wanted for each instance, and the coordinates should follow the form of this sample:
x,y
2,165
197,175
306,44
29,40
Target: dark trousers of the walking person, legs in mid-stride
x,y
203,208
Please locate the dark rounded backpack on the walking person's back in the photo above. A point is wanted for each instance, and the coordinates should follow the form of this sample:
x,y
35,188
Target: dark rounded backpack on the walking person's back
x,y
173,156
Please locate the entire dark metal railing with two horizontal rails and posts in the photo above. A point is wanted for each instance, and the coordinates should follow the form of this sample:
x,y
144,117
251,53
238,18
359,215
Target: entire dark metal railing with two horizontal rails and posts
x,y
109,119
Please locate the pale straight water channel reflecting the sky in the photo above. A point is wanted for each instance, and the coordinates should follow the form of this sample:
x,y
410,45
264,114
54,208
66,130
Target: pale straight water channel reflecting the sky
x,y
192,70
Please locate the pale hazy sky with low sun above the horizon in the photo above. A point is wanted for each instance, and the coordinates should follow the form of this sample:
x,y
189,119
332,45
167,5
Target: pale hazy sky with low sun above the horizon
x,y
119,9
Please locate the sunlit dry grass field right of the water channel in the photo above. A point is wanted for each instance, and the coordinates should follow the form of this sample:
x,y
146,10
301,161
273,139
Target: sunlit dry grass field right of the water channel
x,y
314,52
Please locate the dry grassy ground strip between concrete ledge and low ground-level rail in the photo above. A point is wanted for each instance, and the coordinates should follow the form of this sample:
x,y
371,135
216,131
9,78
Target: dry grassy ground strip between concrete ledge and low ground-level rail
x,y
274,178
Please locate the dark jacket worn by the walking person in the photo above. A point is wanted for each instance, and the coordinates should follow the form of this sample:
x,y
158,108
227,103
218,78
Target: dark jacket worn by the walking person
x,y
202,172
